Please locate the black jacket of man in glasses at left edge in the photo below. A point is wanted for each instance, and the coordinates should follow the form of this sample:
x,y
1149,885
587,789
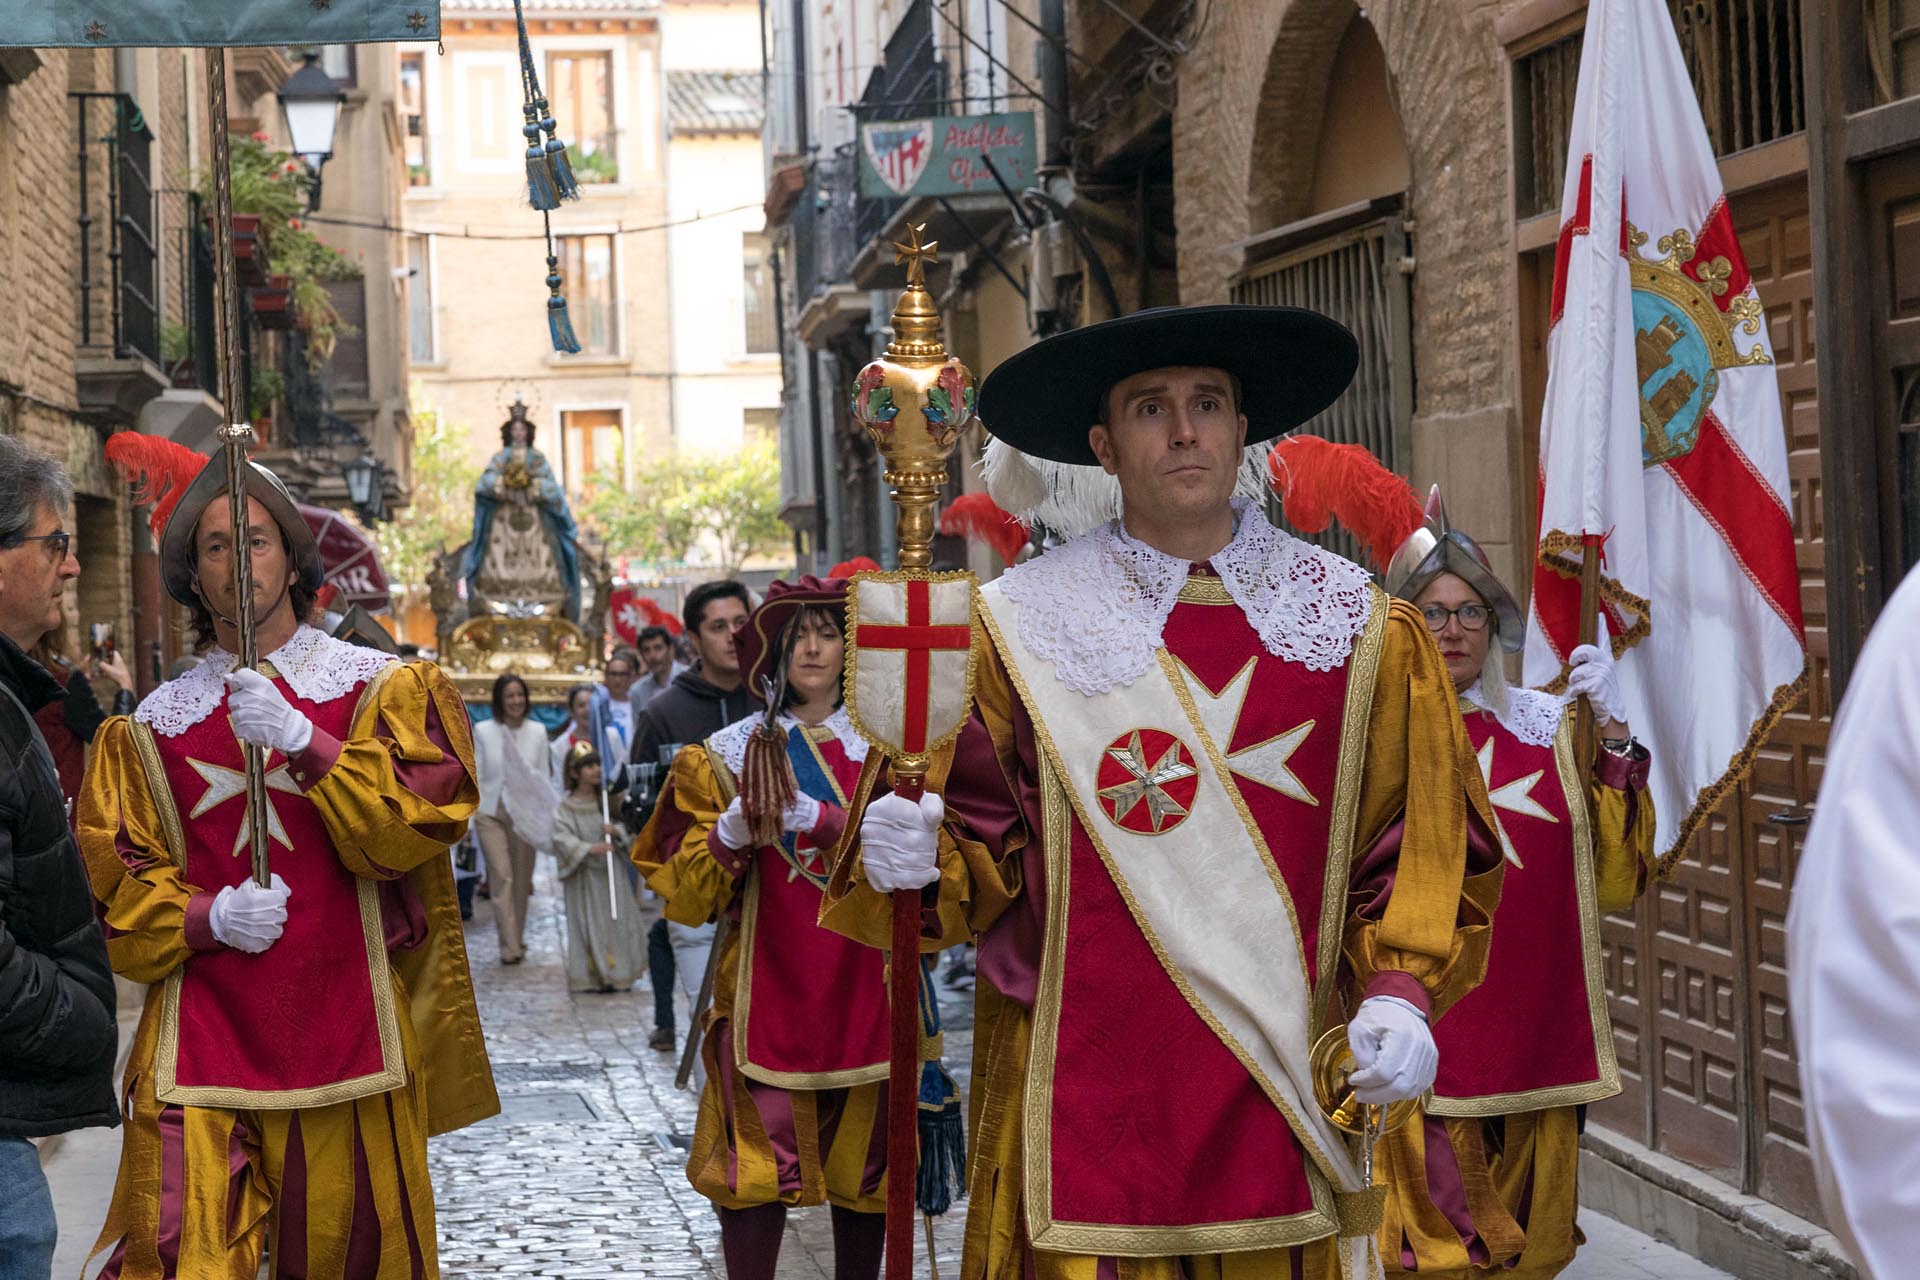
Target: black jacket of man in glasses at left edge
x,y
57,991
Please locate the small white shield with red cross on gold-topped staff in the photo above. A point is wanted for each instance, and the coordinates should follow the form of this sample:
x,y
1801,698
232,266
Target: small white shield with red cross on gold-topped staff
x,y
909,659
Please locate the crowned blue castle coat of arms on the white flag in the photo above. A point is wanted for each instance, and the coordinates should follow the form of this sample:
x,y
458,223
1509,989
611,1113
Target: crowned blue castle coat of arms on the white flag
x,y
1683,339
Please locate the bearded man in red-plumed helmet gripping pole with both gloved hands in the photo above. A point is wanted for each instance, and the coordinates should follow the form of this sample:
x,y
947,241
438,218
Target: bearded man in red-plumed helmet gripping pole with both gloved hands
x,y
300,1041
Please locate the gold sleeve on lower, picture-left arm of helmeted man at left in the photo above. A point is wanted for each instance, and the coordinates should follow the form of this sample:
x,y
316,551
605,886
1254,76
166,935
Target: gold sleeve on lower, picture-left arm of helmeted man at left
x,y
130,861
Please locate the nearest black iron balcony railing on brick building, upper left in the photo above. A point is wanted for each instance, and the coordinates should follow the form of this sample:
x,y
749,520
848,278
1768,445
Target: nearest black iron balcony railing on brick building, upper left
x,y
118,291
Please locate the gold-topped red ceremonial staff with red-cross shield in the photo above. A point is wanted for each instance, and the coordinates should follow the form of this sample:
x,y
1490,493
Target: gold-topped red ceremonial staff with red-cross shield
x,y
909,655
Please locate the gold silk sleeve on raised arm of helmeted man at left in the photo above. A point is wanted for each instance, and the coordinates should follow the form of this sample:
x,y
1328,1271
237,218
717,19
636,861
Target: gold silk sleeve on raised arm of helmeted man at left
x,y
404,786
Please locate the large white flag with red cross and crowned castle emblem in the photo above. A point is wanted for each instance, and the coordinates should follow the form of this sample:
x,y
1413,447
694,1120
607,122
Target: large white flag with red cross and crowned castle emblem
x,y
1662,437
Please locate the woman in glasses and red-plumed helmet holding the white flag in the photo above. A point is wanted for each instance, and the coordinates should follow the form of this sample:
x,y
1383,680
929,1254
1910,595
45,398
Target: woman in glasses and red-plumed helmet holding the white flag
x,y
1485,1183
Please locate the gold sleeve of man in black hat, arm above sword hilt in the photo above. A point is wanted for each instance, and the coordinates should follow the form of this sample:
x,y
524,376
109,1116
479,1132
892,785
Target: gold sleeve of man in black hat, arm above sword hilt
x,y
1422,774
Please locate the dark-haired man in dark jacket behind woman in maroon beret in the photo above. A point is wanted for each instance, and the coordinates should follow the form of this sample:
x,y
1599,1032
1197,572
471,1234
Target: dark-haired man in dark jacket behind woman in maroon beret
x,y
692,709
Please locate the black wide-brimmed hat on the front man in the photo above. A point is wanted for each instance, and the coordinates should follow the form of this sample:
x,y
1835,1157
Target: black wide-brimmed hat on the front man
x,y
1291,366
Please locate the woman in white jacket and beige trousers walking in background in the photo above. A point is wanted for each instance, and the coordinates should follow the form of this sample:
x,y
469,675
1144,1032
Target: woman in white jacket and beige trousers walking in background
x,y
517,801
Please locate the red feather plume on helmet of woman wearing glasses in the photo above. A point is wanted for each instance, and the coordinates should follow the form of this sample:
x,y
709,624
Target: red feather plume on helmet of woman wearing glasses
x,y
1320,481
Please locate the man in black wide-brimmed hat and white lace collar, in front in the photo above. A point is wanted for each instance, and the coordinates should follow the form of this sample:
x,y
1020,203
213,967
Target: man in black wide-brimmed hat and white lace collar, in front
x,y
1214,799
